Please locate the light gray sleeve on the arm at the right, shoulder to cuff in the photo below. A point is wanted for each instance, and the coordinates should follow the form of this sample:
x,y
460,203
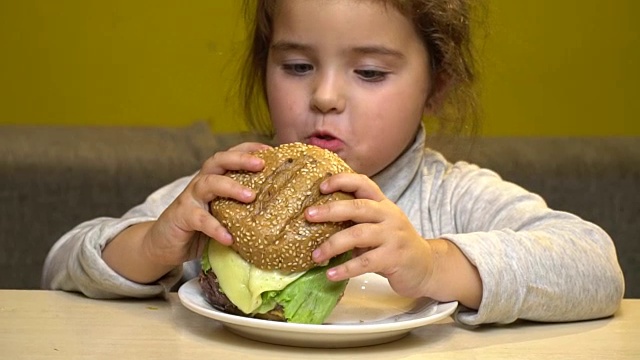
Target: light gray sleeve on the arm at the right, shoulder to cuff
x,y
535,263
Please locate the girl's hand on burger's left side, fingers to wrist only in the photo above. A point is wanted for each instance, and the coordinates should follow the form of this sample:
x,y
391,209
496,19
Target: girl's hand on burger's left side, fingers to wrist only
x,y
182,230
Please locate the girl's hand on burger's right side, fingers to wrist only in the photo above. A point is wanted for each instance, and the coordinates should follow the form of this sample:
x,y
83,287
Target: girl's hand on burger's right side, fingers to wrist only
x,y
383,239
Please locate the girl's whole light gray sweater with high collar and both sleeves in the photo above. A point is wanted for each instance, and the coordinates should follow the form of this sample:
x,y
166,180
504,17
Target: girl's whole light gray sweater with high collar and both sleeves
x,y
535,263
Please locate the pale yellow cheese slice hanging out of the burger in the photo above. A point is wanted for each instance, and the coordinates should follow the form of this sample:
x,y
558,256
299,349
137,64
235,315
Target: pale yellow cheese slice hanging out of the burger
x,y
242,282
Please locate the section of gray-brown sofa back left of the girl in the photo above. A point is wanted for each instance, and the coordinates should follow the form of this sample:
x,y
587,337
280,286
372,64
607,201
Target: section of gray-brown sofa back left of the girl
x,y
55,177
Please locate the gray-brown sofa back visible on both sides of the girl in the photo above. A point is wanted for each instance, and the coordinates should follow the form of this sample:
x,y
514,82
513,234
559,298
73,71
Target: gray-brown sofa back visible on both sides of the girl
x,y
54,177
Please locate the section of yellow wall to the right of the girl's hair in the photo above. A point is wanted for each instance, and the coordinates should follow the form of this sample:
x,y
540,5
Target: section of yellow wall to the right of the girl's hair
x,y
562,67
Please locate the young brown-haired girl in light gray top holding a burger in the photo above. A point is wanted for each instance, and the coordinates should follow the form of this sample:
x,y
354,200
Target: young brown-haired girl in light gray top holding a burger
x,y
357,77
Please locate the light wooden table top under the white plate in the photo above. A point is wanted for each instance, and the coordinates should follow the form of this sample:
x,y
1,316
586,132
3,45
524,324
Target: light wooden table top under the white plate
x,y
59,325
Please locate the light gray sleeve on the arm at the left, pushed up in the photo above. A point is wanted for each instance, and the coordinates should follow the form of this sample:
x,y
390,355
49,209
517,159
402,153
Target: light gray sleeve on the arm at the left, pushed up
x,y
75,262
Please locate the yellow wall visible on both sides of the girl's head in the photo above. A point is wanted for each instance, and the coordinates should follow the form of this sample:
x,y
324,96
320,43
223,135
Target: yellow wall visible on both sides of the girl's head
x,y
552,67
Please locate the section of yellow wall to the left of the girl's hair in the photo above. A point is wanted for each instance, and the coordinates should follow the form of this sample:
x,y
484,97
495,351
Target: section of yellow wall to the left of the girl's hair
x,y
118,62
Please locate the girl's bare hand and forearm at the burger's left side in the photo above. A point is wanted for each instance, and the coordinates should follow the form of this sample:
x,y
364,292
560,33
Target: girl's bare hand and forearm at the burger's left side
x,y
145,252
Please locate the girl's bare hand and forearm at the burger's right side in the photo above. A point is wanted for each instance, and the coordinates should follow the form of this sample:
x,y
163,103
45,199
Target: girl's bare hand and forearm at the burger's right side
x,y
384,241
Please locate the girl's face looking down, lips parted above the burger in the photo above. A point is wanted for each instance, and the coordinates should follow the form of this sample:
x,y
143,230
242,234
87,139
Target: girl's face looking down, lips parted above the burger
x,y
351,76
